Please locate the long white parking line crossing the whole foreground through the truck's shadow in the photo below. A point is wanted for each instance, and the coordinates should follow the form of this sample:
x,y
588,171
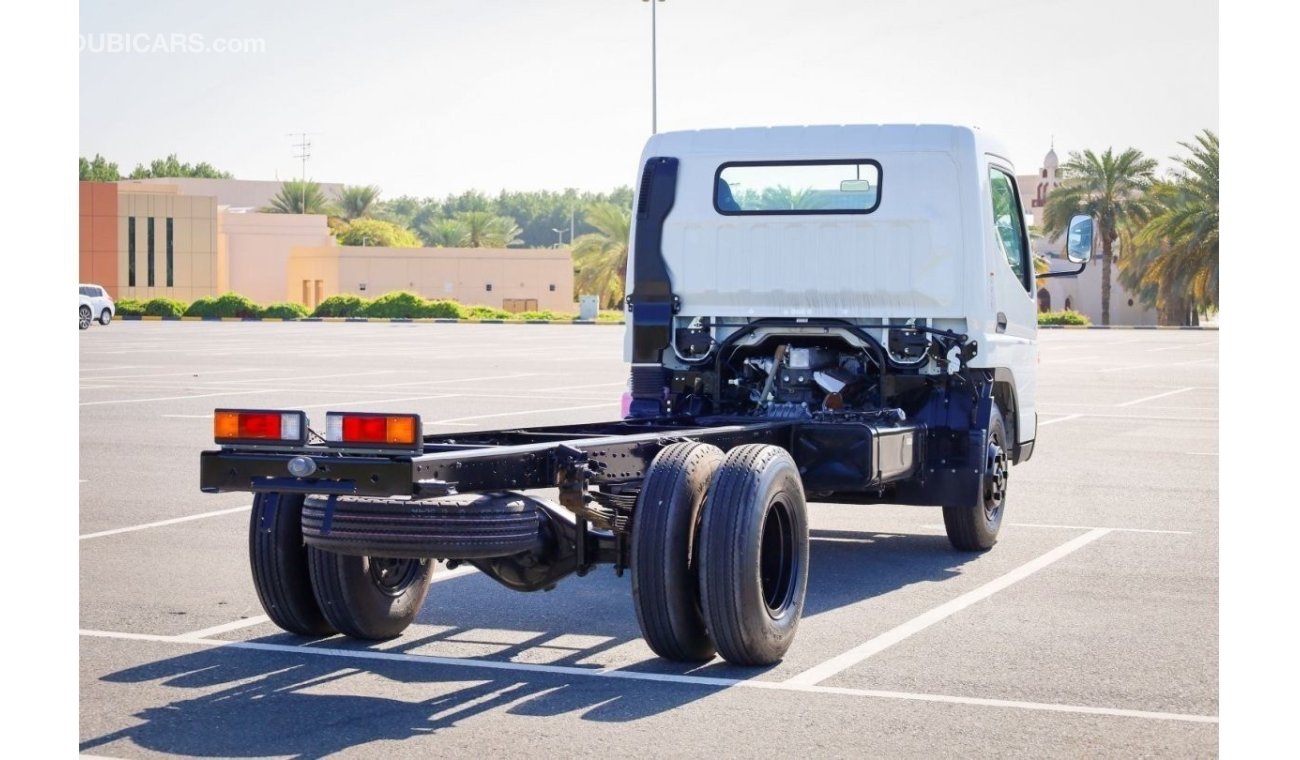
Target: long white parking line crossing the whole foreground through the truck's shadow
x,y
326,652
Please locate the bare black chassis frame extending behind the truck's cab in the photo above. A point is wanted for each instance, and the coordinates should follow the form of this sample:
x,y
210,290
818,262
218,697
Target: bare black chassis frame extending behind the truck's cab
x,y
850,458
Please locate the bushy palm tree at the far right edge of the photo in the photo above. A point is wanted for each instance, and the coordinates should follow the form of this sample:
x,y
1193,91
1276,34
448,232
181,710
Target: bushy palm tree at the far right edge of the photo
x,y
1182,236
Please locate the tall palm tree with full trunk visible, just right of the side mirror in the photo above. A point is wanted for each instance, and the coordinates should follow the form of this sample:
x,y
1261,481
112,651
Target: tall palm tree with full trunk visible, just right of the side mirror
x,y
1110,188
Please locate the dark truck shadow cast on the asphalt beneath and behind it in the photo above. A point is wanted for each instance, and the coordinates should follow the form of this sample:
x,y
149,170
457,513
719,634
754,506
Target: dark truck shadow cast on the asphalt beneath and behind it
x,y
255,702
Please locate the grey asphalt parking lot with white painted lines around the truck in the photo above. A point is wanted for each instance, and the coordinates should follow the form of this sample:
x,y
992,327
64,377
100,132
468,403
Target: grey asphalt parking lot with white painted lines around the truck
x,y
1090,629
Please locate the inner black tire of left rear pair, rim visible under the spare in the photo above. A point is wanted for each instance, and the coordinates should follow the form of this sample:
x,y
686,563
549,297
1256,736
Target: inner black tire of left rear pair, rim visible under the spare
x,y
369,598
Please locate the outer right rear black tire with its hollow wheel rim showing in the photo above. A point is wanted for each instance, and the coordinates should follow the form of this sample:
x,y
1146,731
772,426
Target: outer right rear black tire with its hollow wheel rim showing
x,y
755,555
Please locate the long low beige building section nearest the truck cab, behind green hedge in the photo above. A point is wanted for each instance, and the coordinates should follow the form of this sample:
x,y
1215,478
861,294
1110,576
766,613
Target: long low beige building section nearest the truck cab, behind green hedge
x,y
517,280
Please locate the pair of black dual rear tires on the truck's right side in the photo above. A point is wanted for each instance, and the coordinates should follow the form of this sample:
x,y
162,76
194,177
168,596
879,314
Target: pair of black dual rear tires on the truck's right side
x,y
721,554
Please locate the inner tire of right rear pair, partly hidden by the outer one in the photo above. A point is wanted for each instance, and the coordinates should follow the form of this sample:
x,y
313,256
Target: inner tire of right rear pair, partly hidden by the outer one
x,y
665,584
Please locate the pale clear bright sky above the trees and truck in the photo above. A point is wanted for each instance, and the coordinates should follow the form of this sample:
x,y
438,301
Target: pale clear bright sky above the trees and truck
x,y
436,97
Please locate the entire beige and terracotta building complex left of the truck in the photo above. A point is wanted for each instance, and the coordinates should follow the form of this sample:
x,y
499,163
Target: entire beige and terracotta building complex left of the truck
x,y
145,240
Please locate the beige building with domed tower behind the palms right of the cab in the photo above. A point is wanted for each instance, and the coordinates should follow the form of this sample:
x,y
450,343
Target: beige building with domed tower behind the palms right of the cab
x,y
1084,293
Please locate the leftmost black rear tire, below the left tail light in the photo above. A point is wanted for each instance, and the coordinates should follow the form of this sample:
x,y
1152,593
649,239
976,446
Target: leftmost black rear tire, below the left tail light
x,y
279,562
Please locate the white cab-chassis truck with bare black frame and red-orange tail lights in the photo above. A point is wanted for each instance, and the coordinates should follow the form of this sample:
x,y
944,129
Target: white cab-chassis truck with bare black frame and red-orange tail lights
x,y
833,314
